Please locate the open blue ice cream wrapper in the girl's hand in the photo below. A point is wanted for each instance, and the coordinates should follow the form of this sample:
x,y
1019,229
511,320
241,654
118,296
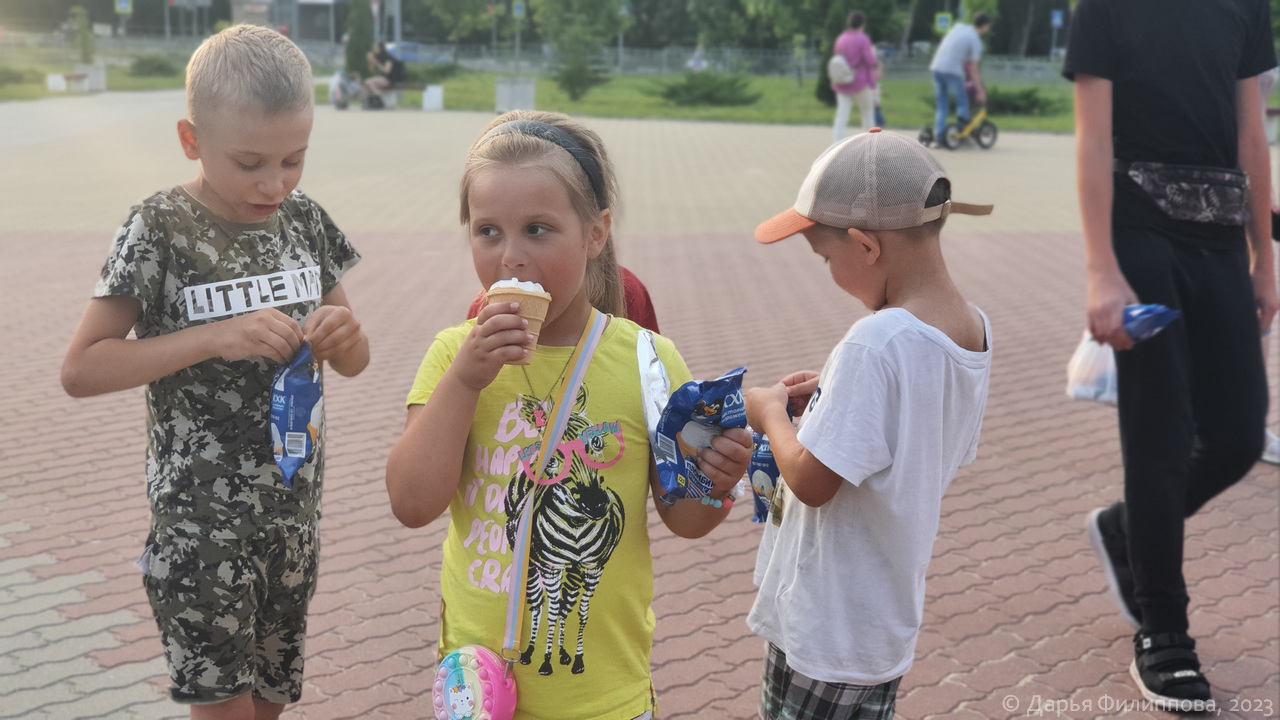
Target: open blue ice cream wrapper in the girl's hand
x,y
696,413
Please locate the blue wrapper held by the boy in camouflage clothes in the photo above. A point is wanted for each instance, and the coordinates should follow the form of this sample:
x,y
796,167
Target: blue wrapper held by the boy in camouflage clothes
x,y
298,408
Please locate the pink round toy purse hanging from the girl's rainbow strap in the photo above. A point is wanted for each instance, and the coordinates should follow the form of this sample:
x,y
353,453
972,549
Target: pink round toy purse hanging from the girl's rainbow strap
x,y
473,683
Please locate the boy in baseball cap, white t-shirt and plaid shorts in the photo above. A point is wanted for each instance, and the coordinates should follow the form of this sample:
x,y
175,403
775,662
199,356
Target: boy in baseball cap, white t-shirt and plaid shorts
x,y
894,413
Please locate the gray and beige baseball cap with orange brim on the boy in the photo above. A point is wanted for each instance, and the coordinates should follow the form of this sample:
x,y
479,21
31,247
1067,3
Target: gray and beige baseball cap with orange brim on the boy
x,y
875,181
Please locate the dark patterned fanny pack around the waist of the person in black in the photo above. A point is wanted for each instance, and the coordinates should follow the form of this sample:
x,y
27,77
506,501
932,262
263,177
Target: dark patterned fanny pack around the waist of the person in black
x,y
1194,193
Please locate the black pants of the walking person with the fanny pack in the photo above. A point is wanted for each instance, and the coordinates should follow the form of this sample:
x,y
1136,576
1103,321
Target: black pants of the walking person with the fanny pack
x,y
1194,404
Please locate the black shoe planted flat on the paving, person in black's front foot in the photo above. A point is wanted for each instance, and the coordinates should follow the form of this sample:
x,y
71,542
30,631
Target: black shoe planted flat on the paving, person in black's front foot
x,y
1168,673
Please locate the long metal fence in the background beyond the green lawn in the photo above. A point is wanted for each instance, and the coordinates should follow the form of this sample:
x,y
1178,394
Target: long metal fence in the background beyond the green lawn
x,y
26,49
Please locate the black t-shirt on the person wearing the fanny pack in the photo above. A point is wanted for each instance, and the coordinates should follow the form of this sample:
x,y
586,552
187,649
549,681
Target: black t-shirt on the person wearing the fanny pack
x,y
1173,67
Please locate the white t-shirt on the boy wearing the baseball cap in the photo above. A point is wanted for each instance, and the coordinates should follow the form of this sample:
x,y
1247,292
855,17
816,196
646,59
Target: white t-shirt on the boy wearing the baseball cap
x,y
898,411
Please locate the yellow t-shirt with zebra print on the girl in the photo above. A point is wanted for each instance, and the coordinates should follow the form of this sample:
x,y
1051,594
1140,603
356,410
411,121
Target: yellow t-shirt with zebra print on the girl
x,y
591,623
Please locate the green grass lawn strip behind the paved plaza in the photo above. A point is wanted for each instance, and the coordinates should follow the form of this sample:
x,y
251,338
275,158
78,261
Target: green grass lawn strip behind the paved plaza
x,y
907,103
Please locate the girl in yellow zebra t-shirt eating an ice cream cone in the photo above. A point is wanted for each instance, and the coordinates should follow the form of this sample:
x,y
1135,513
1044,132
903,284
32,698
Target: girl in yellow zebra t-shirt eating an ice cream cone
x,y
537,199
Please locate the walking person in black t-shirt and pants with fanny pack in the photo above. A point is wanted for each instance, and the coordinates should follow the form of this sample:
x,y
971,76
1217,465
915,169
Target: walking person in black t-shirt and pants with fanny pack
x,y
1162,84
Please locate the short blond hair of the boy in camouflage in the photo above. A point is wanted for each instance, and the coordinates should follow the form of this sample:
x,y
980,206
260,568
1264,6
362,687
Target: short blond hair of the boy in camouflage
x,y
248,67
